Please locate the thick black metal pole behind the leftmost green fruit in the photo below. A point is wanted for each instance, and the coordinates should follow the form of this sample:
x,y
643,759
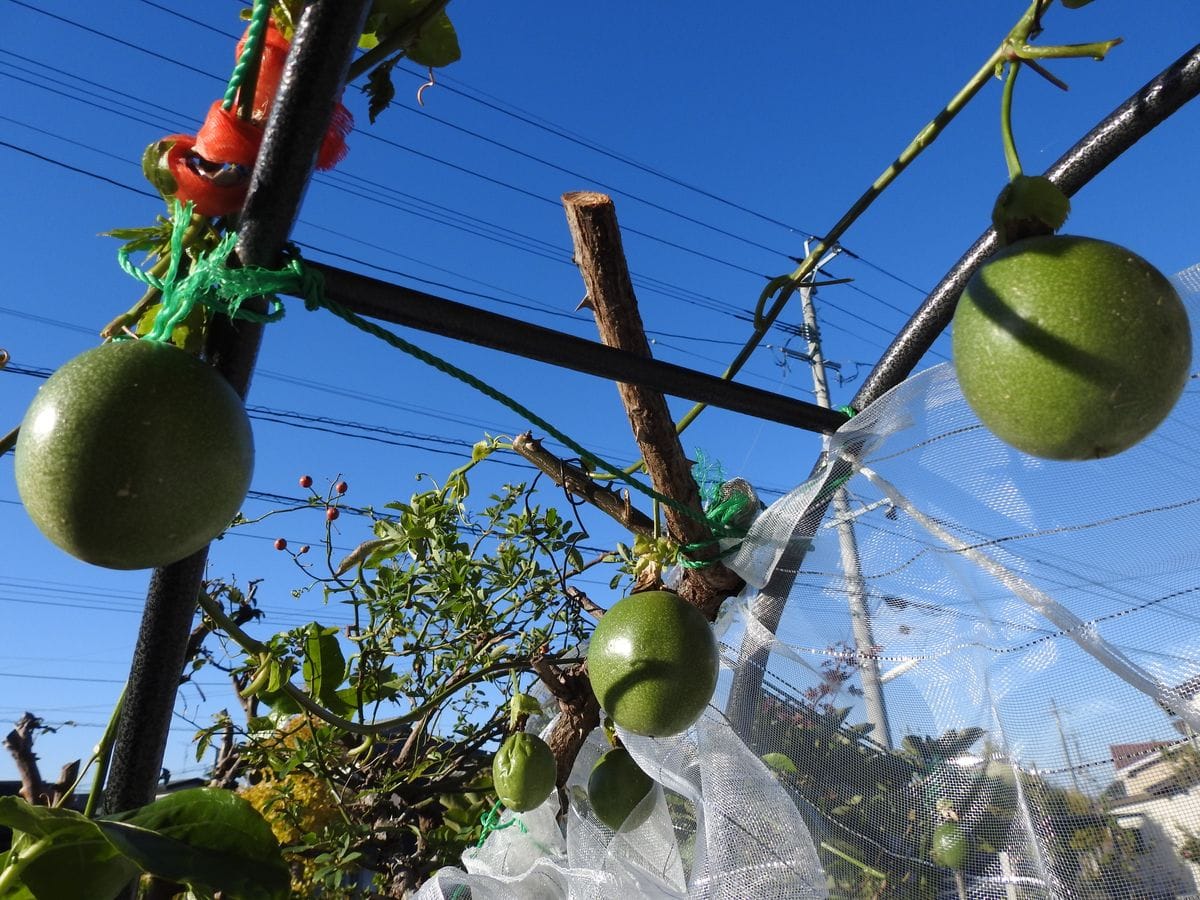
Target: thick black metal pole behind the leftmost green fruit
x,y
326,39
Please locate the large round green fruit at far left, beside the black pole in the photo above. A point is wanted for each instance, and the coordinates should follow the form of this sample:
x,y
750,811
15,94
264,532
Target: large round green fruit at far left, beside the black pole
x,y
134,455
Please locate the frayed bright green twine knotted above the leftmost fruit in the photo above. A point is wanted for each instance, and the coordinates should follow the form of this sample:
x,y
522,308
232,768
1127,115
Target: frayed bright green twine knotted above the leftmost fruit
x,y
213,284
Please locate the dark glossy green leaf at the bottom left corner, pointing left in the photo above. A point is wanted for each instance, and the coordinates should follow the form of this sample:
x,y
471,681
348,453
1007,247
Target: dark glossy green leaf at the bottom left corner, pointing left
x,y
208,839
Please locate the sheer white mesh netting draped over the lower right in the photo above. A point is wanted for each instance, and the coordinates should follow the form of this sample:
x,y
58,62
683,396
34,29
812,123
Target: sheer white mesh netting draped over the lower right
x,y
1030,674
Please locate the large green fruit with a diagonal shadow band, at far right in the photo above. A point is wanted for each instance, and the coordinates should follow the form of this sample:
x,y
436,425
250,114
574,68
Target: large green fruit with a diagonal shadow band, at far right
x,y
1071,349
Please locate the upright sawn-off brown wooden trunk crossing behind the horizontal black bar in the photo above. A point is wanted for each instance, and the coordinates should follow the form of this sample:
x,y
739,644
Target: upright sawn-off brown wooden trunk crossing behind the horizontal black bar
x,y
592,219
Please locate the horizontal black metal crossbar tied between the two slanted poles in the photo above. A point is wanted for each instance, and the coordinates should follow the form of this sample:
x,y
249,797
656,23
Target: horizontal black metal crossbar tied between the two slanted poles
x,y
416,309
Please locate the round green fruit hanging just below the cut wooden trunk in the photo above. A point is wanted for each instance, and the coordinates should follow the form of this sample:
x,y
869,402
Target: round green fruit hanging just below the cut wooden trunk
x,y
653,663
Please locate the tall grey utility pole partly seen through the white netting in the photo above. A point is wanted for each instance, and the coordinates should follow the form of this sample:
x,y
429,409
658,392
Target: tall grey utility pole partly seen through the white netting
x,y
856,589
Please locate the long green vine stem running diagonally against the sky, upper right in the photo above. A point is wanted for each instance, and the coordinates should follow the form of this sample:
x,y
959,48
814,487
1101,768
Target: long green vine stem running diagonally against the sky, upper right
x,y
1016,43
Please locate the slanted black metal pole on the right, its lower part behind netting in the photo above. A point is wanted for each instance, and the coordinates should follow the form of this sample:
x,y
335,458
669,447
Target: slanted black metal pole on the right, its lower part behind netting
x,y
1141,115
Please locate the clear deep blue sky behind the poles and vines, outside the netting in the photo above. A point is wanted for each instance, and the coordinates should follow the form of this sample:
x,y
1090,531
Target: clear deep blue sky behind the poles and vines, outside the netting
x,y
785,115
